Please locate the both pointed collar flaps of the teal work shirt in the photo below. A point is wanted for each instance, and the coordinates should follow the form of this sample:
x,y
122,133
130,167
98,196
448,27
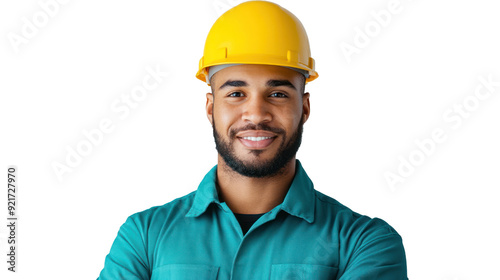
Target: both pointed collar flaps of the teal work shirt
x,y
299,200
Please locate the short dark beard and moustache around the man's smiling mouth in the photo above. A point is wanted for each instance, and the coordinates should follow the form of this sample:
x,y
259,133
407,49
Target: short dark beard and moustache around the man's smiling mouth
x,y
259,168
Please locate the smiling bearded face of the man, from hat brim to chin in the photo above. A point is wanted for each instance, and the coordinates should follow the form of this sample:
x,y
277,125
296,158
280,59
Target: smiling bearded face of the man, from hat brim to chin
x,y
257,113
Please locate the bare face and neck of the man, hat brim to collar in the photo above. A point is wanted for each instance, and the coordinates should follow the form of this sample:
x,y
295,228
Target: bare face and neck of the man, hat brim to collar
x,y
257,113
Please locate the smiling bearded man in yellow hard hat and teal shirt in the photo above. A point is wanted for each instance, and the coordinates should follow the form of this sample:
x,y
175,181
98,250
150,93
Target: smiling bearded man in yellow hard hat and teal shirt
x,y
256,214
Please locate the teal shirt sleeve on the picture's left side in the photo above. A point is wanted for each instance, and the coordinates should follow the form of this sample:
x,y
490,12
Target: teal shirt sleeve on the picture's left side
x,y
127,258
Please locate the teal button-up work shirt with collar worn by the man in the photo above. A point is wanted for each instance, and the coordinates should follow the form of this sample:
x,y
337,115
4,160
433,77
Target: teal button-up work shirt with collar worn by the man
x,y
308,236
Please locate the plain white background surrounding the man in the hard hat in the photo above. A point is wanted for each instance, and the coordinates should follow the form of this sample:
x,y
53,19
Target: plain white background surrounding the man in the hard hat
x,y
366,115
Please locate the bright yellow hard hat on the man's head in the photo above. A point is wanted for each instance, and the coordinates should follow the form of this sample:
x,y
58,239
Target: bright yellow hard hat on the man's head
x,y
257,32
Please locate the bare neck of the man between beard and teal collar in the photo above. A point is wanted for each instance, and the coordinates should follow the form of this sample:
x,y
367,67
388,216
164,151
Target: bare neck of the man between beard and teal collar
x,y
246,195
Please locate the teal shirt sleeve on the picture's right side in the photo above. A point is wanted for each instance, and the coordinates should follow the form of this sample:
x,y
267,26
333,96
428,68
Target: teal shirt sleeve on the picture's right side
x,y
378,254
